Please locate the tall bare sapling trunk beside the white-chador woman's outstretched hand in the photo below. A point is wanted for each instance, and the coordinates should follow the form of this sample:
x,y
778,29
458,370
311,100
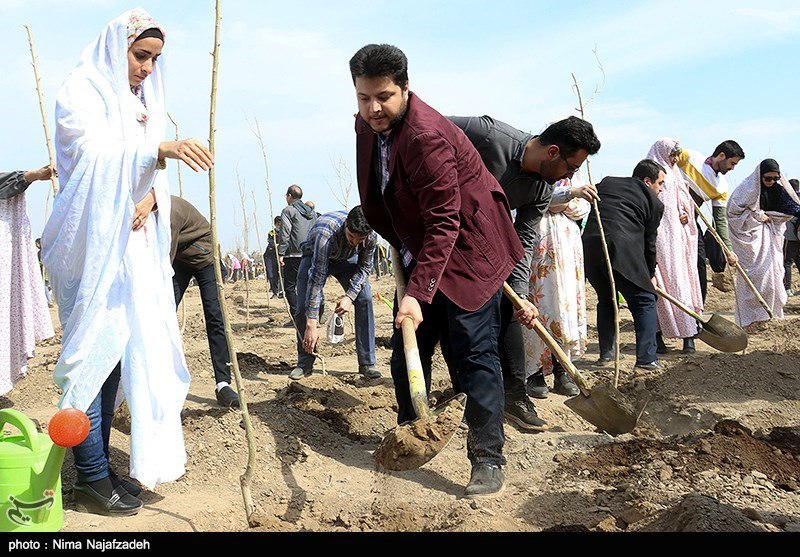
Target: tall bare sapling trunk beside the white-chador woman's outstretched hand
x,y
246,479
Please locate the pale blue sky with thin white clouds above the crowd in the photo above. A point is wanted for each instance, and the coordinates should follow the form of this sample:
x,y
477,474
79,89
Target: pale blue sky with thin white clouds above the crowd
x,y
700,72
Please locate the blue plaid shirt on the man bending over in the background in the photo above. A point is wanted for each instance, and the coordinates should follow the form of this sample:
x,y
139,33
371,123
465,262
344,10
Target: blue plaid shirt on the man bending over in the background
x,y
327,243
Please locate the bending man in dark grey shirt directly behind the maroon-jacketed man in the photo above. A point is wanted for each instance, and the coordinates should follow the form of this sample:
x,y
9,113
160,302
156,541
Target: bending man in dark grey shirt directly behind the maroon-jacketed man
x,y
527,167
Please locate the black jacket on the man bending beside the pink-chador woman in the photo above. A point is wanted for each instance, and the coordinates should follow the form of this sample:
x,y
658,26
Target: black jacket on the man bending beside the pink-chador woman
x,y
631,213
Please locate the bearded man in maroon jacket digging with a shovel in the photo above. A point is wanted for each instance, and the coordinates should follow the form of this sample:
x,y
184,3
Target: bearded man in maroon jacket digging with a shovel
x,y
424,188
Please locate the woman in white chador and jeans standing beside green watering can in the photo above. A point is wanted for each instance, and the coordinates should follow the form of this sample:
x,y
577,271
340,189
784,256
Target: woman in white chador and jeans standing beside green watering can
x,y
106,247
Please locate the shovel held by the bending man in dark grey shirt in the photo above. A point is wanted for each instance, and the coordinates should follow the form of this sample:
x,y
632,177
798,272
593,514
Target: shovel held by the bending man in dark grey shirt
x,y
603,406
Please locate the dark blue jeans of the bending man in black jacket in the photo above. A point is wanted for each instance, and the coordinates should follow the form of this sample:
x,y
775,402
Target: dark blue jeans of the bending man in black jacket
x,y
642,305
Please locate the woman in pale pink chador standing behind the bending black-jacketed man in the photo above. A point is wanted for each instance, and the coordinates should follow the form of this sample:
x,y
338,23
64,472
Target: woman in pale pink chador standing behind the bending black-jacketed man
x,y
676,249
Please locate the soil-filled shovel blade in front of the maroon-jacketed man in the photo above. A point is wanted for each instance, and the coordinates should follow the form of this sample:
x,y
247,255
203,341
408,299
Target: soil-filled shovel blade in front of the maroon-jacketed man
x,y
412,444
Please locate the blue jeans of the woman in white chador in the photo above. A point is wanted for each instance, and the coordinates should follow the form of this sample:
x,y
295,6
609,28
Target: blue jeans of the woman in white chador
x,y
91,456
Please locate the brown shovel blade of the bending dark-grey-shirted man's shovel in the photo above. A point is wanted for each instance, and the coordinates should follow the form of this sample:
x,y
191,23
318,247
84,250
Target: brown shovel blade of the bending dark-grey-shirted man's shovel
x,y
605,408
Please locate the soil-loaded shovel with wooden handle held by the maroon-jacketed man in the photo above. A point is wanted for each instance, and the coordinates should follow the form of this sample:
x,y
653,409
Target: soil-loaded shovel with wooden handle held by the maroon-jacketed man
x,y
412,444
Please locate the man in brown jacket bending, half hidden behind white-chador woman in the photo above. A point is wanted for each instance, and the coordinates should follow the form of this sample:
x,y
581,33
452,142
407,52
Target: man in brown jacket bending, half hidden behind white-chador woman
x,y
192,256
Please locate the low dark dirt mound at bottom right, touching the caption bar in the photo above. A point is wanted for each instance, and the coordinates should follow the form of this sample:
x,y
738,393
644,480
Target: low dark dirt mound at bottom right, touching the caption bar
x,y
699,513
